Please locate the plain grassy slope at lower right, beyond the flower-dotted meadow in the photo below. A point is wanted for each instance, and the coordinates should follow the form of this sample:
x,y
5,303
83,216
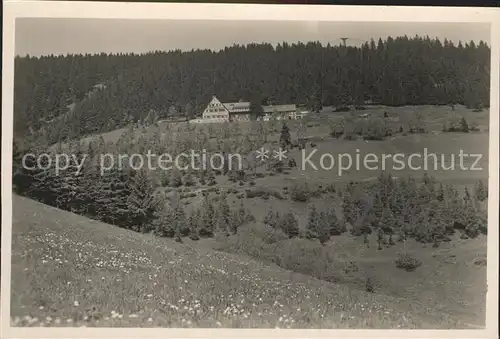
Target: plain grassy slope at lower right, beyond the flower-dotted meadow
x,y
449,280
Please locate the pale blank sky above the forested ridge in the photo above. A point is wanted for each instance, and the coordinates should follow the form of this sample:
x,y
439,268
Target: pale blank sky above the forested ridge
x,y
44,36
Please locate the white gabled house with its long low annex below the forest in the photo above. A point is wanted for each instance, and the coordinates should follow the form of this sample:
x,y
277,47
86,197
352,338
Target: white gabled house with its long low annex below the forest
x,y
217,111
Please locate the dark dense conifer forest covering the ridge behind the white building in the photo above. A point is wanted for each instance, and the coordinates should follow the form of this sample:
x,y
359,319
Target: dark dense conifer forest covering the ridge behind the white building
x,y
66,97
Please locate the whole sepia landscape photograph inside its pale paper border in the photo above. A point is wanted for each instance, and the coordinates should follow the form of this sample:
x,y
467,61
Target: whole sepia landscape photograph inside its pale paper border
x,y
272,174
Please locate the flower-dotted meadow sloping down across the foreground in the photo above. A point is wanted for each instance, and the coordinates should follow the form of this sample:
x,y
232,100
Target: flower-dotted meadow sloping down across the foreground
x,y
60,260
